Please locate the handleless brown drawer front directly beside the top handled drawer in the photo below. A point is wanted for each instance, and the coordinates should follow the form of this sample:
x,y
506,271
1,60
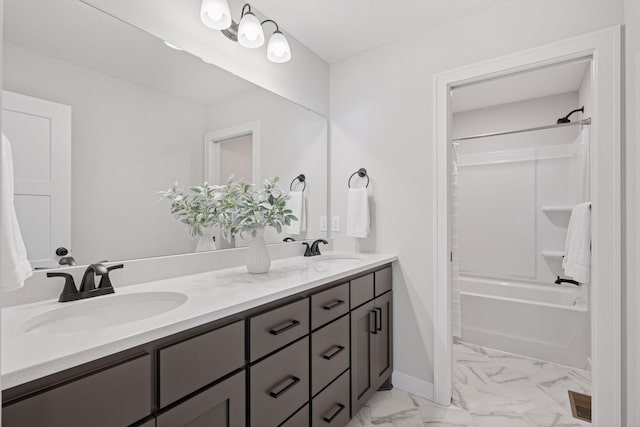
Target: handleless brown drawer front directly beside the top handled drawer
x,y
189,365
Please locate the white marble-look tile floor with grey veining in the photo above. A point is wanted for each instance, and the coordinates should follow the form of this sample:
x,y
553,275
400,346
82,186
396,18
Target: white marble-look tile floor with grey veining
x,y
490,388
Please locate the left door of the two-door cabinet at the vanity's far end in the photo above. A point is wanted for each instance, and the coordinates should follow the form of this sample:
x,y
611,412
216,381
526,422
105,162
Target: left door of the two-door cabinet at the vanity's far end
x,y
363,331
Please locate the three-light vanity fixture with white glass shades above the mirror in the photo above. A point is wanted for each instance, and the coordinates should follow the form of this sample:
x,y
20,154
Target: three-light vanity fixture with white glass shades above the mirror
x,y
248,32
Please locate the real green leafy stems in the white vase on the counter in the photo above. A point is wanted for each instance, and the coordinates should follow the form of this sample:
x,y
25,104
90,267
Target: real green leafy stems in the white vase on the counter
x,y
244,209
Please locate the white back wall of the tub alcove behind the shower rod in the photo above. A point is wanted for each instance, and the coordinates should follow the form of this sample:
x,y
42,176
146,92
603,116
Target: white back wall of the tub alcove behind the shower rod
x,y
502,228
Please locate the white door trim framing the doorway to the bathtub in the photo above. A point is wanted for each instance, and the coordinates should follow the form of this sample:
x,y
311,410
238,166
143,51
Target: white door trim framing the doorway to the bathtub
x,y
604,48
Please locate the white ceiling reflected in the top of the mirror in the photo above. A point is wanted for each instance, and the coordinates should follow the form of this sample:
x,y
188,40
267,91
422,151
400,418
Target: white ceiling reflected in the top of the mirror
x,y
77,33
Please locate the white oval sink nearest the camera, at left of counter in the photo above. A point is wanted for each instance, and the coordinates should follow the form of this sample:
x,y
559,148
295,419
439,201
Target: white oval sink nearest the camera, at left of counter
x,y
102,312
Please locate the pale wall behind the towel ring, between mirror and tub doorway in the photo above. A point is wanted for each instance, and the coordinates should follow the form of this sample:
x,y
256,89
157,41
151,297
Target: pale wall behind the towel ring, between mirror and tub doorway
x,y
381,119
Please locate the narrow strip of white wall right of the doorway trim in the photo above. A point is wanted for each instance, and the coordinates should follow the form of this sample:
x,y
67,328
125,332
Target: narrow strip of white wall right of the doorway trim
x,y
631,296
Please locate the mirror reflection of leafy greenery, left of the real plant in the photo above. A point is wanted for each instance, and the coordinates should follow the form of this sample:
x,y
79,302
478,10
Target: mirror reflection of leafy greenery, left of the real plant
x,y
199,209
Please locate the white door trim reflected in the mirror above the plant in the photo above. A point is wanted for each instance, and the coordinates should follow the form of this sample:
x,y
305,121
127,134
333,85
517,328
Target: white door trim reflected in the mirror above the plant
x,y
212,150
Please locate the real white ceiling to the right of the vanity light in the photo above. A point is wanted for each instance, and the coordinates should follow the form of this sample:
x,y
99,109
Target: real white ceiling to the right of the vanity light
x,y
336,29
